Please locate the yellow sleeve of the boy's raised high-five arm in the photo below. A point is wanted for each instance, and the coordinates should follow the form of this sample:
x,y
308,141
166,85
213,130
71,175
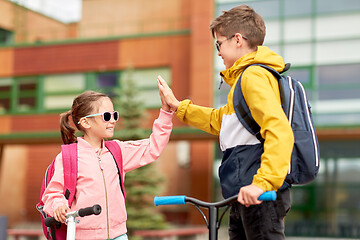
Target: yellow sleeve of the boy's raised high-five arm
x,y
203,118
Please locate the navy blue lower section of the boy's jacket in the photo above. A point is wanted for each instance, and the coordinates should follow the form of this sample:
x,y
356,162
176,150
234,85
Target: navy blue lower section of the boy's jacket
x,y
238,167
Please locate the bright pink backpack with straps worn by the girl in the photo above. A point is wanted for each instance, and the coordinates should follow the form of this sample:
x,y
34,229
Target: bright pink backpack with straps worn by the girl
x,y
69,156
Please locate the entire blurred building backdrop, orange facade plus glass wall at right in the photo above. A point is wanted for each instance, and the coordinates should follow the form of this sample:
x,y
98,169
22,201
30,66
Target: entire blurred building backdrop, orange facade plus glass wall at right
x,y
45,63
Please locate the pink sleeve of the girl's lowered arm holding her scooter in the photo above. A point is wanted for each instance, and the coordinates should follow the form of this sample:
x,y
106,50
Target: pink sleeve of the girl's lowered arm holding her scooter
x,y
53,196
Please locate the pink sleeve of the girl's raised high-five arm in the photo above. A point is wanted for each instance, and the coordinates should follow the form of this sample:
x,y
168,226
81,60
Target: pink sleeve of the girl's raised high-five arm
x,y
139,153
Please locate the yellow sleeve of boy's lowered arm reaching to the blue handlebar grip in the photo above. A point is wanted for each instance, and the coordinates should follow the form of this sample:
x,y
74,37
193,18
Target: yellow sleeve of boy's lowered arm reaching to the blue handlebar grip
x,y
261,93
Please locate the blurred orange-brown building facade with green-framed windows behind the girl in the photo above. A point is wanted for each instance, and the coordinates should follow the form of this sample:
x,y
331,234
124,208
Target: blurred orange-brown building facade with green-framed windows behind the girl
x,y
46,63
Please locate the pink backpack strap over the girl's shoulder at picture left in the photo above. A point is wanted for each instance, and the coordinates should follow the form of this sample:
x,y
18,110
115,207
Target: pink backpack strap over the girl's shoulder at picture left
x,y
69,156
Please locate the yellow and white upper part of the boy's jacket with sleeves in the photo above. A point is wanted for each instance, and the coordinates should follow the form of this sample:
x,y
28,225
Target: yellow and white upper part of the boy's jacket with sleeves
x,y
261,92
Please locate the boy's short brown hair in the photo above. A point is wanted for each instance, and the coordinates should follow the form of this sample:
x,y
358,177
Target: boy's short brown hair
x,y
241,19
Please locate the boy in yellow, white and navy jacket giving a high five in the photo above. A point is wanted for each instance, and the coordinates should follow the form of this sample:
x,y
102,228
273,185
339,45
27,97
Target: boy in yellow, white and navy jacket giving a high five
x,y
249,167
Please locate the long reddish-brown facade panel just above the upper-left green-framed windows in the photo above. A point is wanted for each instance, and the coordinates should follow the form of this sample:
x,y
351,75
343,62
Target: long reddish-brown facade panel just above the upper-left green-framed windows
x,y
78,57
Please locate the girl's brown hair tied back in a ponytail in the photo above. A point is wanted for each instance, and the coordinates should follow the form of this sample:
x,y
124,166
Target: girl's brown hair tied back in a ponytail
x,y
83,105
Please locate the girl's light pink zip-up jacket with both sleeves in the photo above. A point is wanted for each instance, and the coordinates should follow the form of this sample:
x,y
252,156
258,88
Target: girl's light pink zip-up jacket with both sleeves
x,y
95,188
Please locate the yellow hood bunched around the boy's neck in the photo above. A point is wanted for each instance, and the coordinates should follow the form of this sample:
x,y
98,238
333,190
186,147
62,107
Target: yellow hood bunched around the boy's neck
x,y
263,55
